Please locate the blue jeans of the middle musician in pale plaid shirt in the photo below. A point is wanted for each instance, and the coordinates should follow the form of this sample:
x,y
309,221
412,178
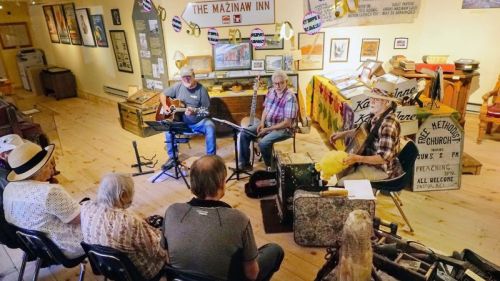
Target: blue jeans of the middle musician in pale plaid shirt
x,y
265,144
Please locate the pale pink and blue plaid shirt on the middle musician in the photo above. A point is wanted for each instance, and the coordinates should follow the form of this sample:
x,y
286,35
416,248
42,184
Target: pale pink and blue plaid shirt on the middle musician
x,y
280,108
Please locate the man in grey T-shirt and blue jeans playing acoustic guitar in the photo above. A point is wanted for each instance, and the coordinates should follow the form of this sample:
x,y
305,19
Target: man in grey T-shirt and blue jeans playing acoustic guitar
x,y
194,96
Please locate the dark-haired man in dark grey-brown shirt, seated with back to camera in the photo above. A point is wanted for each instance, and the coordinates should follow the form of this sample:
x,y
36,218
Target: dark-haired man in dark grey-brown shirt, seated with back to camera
x,y
206,235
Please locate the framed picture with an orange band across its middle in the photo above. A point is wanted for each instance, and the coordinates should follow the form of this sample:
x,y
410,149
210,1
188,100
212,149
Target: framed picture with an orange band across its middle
x,y
311,48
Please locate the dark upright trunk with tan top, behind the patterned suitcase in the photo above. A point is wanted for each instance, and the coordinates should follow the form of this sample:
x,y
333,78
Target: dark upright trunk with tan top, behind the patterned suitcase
x,y
294,170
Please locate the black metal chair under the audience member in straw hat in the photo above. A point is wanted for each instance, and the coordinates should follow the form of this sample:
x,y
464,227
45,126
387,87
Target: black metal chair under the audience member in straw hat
x,y
47,252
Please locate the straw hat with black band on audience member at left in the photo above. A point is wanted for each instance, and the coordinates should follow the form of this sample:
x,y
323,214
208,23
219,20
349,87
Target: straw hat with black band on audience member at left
x,y
27,159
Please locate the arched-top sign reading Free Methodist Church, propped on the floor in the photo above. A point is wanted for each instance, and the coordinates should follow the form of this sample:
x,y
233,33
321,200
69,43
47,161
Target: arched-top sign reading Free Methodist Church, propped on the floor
x,y
440,146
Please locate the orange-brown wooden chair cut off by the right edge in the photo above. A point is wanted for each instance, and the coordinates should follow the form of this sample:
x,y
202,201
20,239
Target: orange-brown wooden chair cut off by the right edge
x,y
490,111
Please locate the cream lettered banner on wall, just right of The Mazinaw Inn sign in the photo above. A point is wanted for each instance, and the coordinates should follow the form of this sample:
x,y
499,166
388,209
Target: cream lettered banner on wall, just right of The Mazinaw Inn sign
x,y
363,12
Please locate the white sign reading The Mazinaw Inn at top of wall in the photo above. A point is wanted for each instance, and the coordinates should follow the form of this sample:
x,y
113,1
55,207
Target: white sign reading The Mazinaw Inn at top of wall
x,y
229,13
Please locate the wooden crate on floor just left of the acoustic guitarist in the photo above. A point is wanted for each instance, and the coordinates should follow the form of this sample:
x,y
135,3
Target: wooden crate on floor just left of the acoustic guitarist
x,y
132,119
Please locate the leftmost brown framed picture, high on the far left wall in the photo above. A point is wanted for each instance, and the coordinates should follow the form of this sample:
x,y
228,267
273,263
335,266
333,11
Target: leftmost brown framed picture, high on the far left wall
x,y
14,35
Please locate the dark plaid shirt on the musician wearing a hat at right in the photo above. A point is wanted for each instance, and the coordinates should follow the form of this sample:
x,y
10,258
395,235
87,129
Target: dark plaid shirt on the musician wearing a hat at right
x,y
386,144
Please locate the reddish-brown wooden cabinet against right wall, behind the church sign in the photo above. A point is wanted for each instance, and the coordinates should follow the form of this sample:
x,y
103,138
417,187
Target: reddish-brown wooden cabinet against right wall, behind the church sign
x,y
456,88
